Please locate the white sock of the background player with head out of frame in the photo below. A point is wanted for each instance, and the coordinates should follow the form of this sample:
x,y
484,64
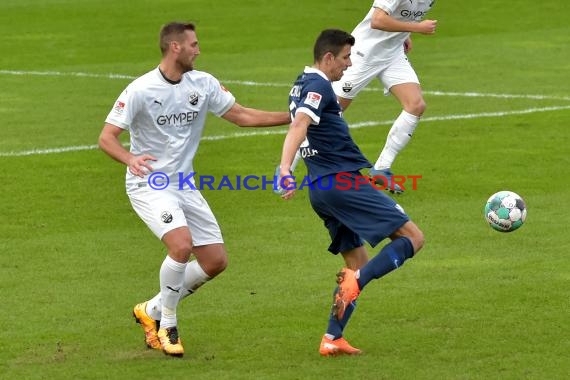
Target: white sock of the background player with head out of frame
x,y
398,137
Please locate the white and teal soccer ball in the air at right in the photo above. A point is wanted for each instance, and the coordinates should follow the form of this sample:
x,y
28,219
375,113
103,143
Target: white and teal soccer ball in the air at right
x,y
505,211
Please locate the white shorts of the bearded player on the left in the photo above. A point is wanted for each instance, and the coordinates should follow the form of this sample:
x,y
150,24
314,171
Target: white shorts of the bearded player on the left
x,y
165,210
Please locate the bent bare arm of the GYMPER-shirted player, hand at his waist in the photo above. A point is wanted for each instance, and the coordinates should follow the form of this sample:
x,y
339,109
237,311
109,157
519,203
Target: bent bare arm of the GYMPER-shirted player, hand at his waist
x,y
109,143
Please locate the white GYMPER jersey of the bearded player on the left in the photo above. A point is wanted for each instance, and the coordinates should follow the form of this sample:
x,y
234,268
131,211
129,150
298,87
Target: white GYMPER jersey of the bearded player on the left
x,y
166,120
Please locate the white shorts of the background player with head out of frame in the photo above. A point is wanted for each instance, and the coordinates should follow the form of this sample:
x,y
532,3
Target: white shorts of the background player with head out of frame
x,y
357,76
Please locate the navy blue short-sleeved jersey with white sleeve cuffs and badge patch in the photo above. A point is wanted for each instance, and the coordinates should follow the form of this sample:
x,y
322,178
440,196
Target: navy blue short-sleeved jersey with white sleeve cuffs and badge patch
x,y
330,147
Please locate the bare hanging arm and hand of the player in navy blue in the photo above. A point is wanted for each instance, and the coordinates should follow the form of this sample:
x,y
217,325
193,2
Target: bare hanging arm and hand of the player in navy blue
x,y
295,136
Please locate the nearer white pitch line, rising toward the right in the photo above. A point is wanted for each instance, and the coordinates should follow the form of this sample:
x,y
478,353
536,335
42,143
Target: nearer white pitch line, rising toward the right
x,y
283,131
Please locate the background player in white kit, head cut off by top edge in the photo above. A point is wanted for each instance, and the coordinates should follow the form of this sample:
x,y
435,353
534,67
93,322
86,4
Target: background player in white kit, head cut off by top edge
x,y
382,42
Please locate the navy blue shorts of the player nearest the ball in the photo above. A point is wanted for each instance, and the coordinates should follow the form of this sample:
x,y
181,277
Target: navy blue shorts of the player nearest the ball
x,y
354,211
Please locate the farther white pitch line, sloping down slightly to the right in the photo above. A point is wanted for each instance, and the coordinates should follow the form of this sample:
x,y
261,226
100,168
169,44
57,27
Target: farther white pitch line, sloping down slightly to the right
x,y
284,85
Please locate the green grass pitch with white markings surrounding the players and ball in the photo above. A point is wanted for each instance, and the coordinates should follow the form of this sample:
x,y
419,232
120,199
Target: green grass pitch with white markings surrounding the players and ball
x,y
474,304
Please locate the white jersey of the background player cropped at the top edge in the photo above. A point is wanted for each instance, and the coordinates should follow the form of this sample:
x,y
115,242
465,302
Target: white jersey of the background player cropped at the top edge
x,y
378,46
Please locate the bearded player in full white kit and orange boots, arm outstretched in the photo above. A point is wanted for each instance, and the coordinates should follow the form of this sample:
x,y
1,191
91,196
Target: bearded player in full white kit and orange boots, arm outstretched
x,y
165,111
